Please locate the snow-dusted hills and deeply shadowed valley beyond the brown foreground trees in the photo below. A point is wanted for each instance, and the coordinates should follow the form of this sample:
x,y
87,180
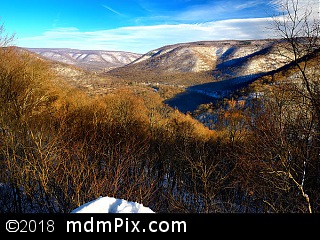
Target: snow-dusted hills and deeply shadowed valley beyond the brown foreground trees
x,y
185,74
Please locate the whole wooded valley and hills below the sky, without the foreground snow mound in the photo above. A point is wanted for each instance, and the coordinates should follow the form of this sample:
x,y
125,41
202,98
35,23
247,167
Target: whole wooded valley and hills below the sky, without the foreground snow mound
x,y
188,128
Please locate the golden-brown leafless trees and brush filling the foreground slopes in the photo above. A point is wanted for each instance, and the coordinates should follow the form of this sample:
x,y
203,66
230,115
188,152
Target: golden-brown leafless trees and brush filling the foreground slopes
x,y
61,147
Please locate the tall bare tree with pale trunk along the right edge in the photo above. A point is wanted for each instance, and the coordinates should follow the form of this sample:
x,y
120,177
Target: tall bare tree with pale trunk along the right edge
x,y
298,29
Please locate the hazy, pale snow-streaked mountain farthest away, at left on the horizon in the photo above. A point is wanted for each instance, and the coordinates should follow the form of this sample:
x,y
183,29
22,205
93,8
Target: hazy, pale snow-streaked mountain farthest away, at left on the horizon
x,y
96,60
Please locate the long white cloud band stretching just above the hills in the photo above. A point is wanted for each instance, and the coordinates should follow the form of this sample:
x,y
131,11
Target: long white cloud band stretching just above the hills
x,y
141,39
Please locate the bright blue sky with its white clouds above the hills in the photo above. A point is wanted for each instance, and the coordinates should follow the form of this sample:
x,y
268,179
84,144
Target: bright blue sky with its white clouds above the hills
x,y
133,25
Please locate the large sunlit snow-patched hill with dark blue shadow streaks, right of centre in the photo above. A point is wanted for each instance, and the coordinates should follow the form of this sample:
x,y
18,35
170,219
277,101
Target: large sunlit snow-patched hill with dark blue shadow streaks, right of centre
x,y
221,60
